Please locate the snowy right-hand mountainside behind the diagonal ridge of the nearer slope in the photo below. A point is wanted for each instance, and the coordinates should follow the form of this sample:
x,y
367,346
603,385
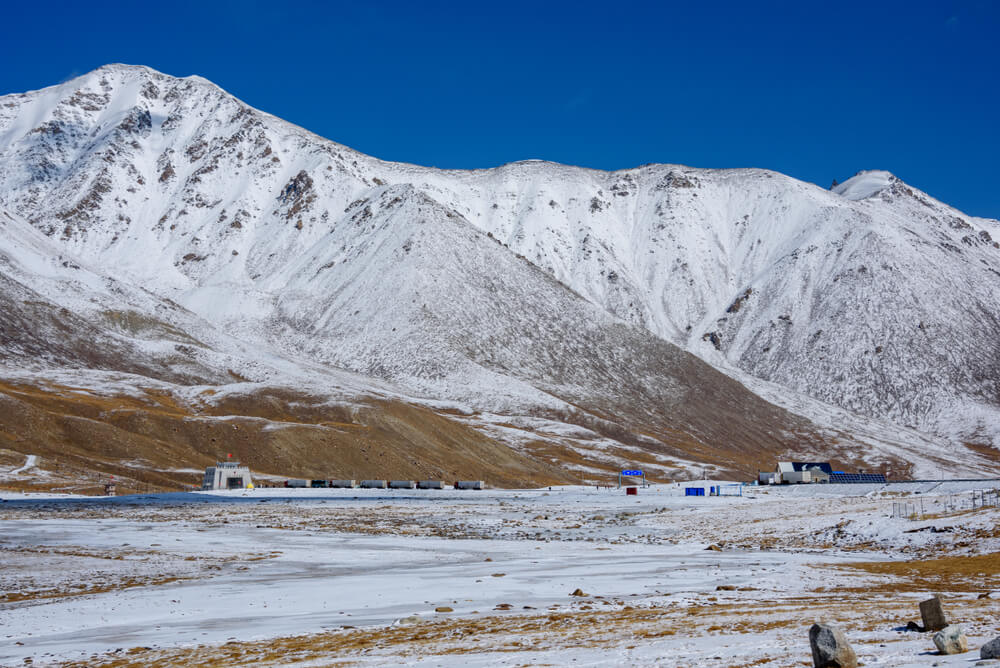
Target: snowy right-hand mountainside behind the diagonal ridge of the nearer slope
x,y
838,296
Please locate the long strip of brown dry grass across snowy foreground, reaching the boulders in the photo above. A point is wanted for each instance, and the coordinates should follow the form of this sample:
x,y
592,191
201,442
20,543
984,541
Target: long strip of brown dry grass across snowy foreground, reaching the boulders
x,y
622,626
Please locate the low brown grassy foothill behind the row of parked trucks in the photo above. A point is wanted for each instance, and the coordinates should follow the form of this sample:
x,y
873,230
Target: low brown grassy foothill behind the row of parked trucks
x,y
142,440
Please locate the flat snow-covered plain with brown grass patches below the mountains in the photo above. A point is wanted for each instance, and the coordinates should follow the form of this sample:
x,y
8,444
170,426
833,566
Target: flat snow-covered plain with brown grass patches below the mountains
x,y
331,577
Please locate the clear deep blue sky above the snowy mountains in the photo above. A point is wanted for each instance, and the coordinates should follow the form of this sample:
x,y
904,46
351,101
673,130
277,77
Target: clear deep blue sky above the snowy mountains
x,y
815,90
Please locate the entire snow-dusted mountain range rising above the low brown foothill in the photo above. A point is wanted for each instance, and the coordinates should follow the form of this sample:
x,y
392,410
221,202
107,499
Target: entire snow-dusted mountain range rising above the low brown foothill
x,y
161,228
